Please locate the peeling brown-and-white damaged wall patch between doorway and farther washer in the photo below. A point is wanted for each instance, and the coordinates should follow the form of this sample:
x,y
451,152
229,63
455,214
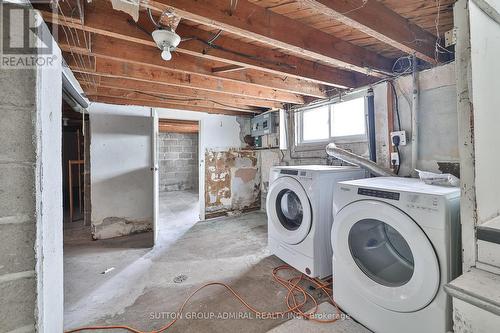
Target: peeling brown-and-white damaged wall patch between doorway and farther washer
x,y
232,181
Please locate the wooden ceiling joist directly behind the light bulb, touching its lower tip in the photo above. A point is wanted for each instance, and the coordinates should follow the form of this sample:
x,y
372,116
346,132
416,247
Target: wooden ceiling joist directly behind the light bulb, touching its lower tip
x,y
116,49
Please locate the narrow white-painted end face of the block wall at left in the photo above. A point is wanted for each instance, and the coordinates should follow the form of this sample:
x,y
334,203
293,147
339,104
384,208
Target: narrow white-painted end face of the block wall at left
x,y
49,244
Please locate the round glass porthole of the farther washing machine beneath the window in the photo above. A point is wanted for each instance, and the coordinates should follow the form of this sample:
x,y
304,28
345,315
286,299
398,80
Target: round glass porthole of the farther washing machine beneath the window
x,y
289,209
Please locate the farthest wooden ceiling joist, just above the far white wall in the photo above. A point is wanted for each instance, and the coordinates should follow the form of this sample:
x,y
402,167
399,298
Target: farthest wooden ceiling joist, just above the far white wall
x,y
124,101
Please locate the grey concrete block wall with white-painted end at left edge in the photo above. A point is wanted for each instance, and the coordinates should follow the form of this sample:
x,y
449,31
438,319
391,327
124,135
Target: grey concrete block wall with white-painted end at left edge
x,y
31,272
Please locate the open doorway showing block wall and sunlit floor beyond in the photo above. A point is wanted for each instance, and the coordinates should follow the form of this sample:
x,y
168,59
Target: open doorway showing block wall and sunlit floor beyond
x,y
178,179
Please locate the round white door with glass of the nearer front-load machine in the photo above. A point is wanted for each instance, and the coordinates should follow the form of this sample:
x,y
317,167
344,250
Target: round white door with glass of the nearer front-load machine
x,y
391,261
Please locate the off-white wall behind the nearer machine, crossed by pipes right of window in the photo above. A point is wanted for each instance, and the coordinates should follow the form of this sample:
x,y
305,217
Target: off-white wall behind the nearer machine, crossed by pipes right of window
x,y
438,120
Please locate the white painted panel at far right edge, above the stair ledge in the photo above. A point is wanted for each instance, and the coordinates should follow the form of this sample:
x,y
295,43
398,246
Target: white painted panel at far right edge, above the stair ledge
x,y
485,52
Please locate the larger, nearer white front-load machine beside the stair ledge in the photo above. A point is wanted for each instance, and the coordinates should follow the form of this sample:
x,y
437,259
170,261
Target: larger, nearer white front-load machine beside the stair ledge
x,y
395,244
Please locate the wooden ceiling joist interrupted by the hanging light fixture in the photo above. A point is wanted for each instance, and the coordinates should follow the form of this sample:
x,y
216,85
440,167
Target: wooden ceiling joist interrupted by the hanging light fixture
x,y
100,19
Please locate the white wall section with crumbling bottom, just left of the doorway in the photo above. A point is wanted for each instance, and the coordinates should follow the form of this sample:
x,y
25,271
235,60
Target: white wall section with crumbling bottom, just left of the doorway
x,y
120,158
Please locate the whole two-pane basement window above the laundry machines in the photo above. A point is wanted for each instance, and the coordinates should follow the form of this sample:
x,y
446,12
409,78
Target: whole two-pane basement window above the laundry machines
x,y
341,121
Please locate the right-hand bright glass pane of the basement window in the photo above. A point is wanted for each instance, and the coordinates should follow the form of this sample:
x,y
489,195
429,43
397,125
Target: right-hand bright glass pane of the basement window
x,y
348,118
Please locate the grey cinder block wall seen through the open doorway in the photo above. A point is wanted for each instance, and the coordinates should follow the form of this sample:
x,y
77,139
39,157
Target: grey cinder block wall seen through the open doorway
x,y
178,159
